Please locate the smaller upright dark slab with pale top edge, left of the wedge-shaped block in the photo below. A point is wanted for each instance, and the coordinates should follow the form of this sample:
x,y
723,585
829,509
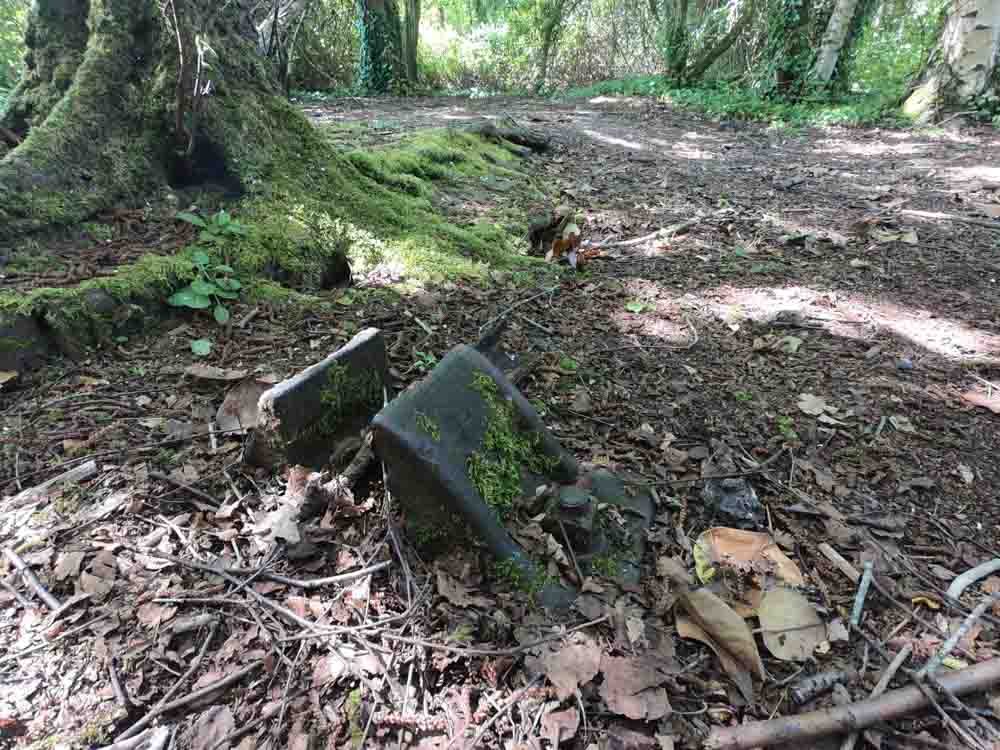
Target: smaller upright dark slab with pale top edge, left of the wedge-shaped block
x,y
301,420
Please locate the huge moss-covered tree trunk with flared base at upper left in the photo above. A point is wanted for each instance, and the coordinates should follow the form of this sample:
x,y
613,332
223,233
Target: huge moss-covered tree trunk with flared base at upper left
x,y
122,95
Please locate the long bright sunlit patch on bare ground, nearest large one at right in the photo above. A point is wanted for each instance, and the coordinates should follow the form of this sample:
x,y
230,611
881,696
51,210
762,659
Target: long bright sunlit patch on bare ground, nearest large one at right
x,y
857,317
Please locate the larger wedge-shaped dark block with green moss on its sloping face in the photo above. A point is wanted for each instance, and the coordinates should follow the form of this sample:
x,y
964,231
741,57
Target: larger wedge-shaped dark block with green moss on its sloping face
x,y
460,448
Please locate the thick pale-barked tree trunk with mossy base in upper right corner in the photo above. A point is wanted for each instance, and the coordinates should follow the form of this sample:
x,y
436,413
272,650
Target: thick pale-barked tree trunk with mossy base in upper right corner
x,y
964,66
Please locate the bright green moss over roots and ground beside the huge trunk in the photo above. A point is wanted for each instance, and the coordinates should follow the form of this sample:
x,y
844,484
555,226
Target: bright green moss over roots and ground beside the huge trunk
x,y
313,202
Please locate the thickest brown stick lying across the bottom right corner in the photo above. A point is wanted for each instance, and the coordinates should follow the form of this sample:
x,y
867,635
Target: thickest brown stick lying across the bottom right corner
x,y
853,717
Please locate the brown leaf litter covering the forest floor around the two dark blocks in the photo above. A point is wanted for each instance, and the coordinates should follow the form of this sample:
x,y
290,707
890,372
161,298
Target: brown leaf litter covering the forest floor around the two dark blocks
x,y
794,302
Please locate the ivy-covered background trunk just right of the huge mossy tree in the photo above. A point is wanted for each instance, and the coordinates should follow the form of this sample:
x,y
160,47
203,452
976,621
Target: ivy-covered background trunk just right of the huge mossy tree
x,y
381,65
